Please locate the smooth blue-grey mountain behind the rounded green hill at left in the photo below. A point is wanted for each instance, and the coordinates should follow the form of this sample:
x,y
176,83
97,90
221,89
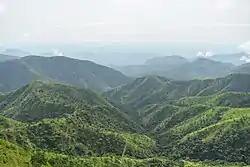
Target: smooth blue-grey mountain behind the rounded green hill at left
x,y
63,69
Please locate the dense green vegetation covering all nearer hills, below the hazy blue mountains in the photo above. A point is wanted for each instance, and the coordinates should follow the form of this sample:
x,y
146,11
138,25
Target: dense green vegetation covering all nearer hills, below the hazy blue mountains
x,y
151,122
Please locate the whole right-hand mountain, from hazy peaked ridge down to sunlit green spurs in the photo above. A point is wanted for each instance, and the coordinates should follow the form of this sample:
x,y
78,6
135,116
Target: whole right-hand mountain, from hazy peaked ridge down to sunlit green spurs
x,y
199,119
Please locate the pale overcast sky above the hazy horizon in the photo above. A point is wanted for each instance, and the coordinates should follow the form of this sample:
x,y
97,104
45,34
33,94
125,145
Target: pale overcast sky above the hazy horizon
x,y
77,21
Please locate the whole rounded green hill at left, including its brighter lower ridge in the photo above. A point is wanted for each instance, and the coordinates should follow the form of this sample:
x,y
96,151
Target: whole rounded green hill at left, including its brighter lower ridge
x,y
64,119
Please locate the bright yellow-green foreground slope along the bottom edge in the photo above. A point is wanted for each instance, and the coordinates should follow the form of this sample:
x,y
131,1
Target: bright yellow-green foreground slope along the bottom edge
x,y
16,156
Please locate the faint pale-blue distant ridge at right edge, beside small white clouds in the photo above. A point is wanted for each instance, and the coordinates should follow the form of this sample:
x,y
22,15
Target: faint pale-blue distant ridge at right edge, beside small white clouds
x,y
235,58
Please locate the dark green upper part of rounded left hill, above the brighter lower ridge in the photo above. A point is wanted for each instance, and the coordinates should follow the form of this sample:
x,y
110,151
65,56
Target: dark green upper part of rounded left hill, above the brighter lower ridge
x,y
40,100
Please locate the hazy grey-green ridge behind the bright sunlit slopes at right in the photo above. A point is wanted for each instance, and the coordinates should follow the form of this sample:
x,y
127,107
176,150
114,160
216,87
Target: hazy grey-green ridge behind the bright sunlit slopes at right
x,y
154,89
